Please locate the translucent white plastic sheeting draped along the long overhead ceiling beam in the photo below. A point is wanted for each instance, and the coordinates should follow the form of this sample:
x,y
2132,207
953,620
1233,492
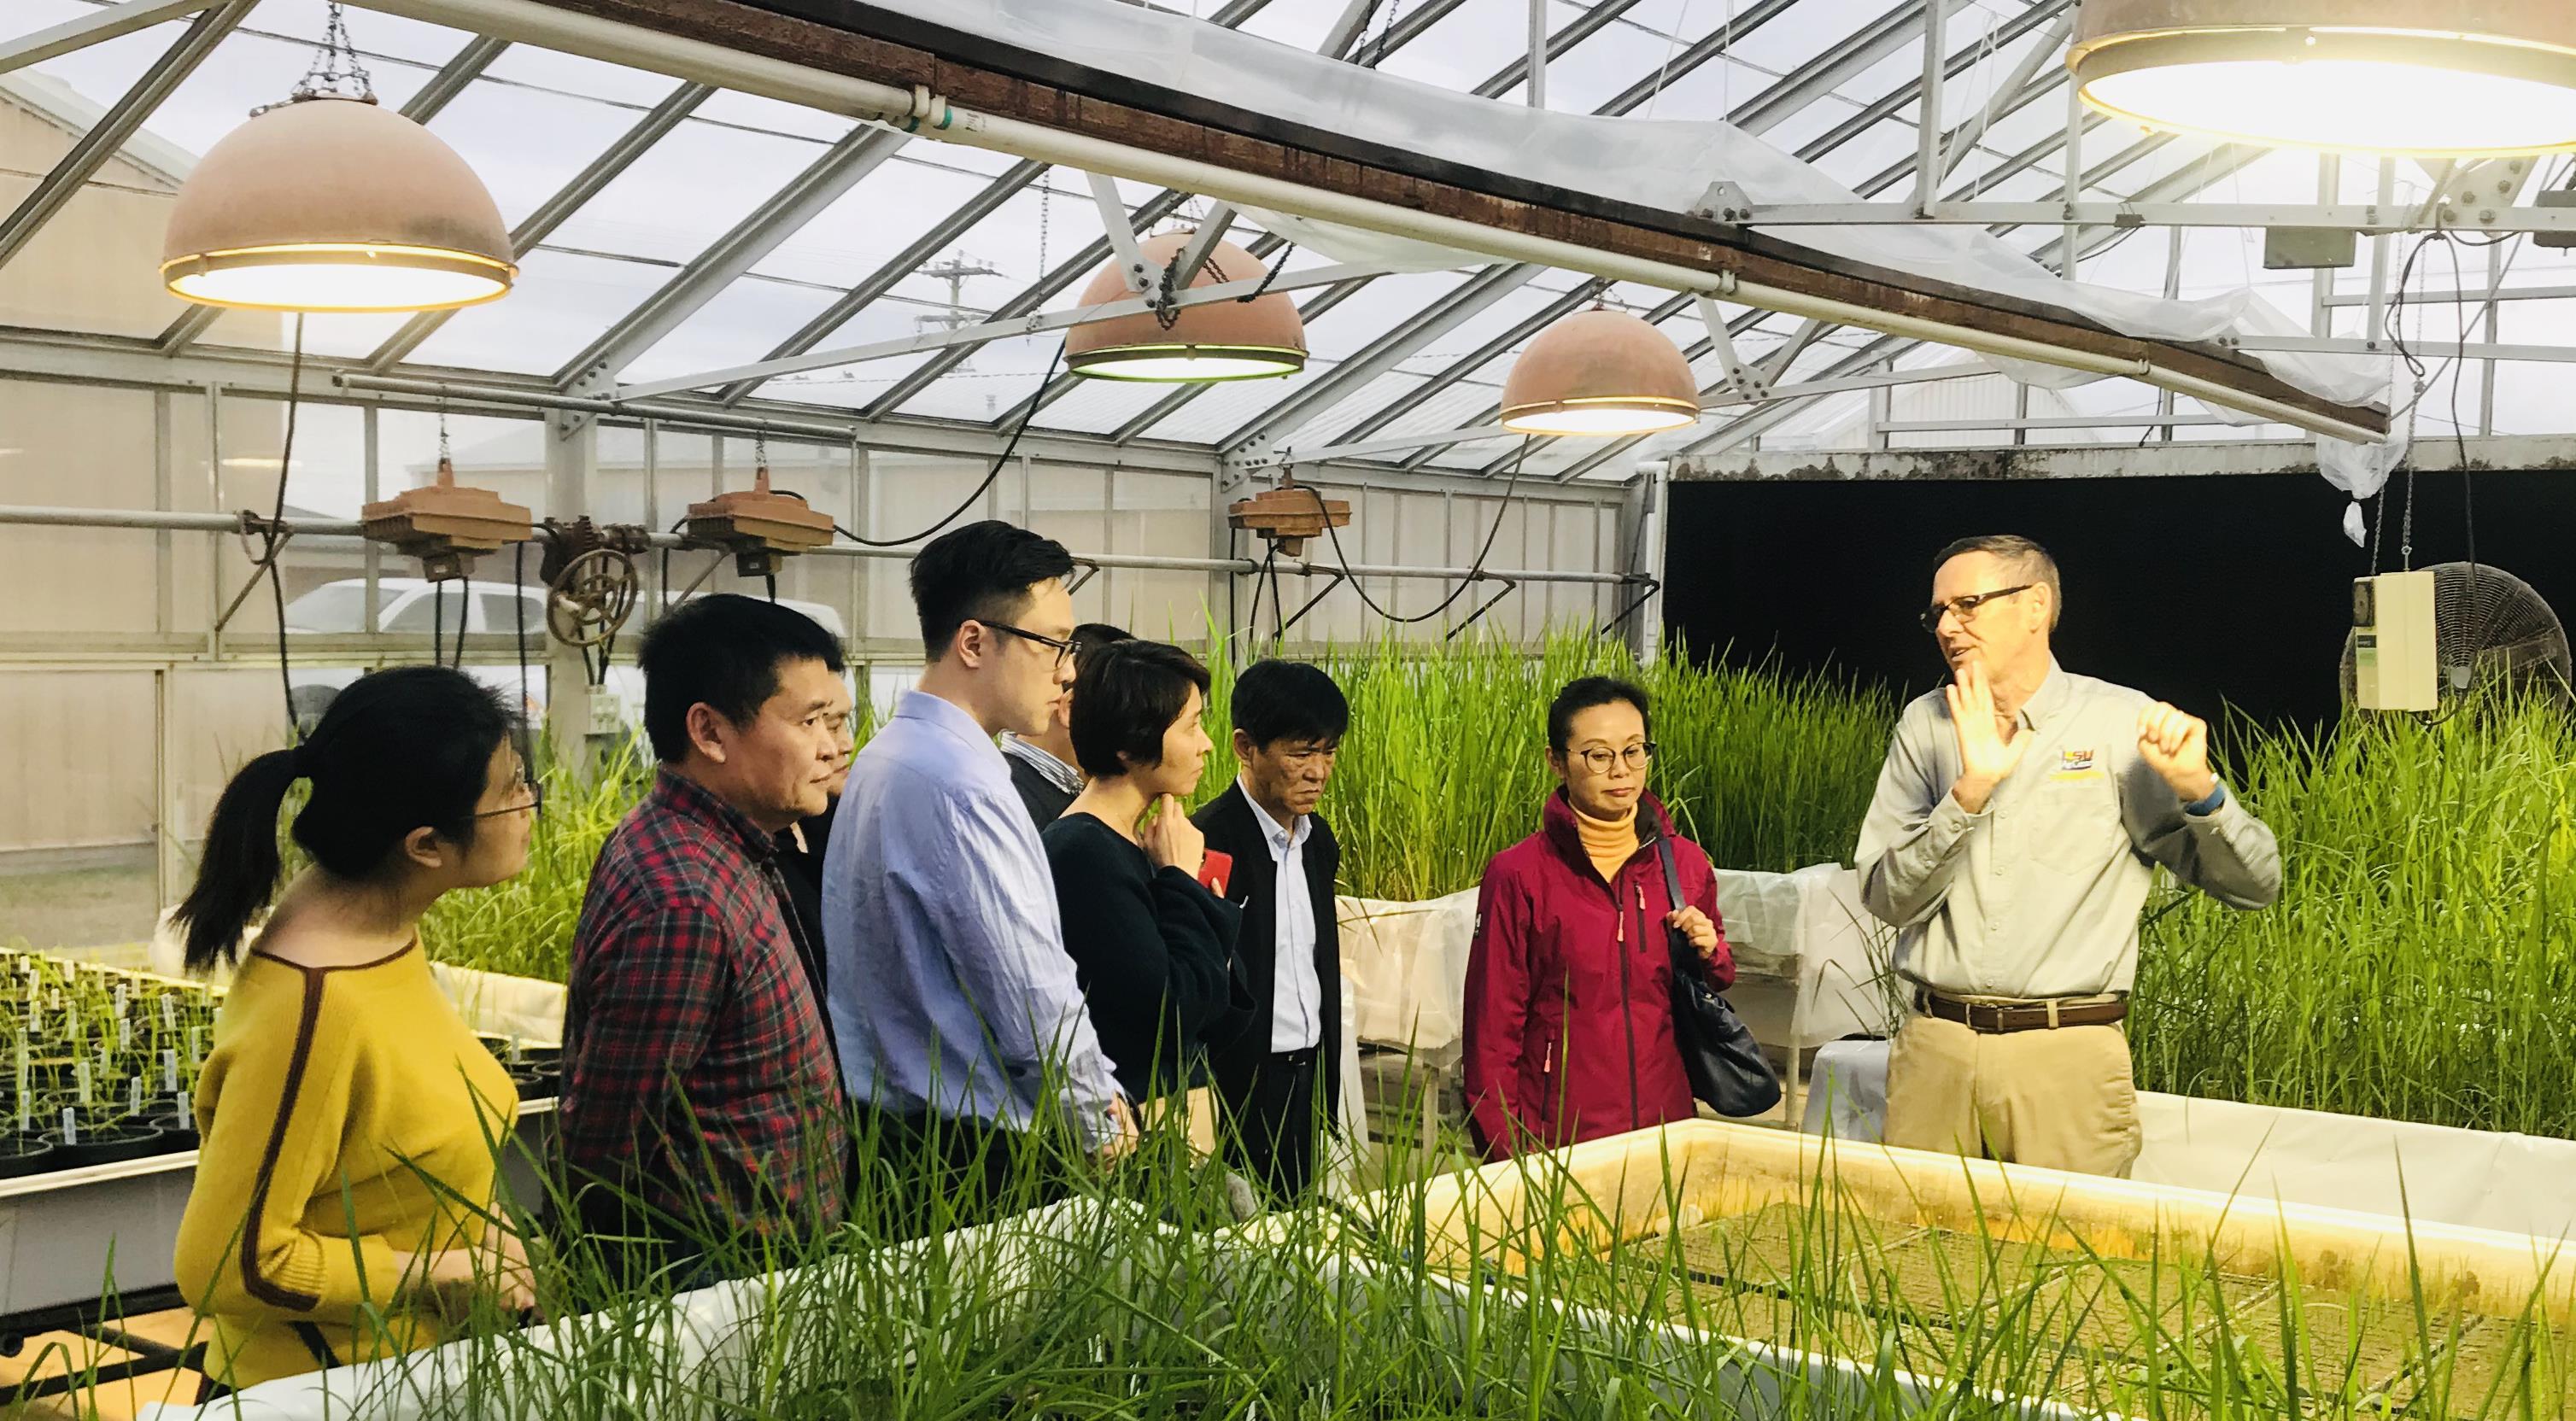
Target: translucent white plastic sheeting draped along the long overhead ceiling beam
x,y
1660,163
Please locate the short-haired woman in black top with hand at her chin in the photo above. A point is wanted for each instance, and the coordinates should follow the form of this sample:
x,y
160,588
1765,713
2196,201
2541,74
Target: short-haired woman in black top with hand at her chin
x,y
1150,943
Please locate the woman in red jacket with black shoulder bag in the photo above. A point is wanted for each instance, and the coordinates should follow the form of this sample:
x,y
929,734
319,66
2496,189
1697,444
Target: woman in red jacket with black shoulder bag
x,y
1570,977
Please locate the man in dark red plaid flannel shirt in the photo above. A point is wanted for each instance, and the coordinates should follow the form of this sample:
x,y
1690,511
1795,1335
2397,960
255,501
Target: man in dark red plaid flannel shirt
x,y
702,1108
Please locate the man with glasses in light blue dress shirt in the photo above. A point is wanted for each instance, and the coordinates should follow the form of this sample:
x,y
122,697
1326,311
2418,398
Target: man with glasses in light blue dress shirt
x,y
952,998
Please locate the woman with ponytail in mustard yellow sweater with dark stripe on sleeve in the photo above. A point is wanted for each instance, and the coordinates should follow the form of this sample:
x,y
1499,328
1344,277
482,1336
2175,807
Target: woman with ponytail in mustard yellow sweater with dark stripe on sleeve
x,y
352,1121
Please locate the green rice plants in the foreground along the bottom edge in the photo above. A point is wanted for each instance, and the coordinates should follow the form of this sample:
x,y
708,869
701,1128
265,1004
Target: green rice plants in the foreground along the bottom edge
x,y
1135,1294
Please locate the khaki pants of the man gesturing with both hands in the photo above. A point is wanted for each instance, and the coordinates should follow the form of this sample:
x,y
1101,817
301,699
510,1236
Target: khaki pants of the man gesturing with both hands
x,y
2054,1098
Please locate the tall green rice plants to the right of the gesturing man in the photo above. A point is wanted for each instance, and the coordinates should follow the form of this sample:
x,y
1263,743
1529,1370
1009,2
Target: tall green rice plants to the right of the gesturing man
x,y
2423,956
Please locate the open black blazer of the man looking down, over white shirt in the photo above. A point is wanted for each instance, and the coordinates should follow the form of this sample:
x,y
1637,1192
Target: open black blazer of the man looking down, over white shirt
x,y
1235,828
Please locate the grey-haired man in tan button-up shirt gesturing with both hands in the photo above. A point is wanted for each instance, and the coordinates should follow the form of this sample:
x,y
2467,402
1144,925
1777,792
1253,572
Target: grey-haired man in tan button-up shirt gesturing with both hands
x,y
2016,833
